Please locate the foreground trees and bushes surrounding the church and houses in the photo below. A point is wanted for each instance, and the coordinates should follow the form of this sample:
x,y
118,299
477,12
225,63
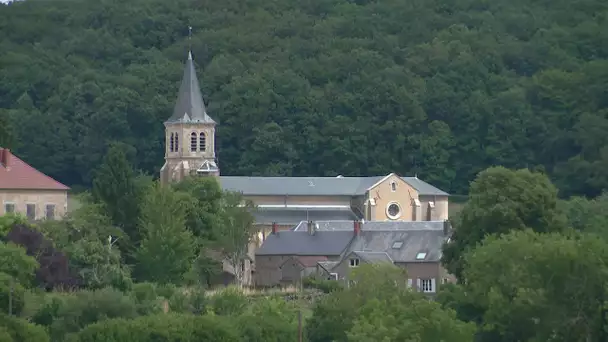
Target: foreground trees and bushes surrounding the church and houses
x,y
531,267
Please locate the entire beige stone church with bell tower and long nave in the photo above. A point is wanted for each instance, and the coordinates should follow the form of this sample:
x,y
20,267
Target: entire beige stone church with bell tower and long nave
x,y
284,202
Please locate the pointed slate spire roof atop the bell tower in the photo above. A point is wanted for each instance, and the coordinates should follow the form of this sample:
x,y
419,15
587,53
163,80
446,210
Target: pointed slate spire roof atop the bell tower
x,y
190,106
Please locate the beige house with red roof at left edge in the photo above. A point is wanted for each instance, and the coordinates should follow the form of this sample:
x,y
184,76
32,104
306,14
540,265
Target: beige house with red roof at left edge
x,y
25,190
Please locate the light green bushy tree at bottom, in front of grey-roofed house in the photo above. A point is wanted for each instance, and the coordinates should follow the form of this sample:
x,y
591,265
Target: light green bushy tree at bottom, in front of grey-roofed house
x,y
379,306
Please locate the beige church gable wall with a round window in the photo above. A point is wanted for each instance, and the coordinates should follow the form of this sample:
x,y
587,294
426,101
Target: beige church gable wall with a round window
x,y
383,195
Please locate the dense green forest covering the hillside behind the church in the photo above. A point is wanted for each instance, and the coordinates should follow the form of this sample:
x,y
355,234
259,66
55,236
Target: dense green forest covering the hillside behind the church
x,y
441,88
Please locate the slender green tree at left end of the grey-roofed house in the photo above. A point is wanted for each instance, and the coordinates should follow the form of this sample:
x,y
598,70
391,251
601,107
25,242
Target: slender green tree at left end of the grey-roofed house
x,y
235,232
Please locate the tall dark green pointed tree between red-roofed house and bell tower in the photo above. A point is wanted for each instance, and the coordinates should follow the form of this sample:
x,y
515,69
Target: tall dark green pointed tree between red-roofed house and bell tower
x,y
115,186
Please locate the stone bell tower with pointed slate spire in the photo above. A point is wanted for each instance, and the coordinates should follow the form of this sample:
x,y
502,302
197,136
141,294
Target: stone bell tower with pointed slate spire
x,y
189,133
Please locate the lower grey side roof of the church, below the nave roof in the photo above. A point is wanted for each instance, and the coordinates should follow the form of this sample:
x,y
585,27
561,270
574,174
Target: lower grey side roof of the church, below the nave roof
x,y
293,216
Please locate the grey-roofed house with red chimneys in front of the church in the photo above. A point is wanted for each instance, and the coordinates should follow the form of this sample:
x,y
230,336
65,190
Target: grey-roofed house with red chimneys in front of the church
x,y
343,246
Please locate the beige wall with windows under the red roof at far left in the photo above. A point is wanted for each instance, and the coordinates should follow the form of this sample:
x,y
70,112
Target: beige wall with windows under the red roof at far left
x,y
40,198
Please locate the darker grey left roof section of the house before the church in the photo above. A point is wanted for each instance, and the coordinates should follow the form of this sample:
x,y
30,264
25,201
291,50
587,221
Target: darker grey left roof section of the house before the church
x,y
302,243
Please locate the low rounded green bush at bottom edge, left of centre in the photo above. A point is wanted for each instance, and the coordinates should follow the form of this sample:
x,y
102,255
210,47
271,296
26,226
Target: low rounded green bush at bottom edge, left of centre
x,y
161,328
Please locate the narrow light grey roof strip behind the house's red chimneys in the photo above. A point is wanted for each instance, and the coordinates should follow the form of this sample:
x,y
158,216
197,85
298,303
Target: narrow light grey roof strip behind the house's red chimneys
x,y
374,225
